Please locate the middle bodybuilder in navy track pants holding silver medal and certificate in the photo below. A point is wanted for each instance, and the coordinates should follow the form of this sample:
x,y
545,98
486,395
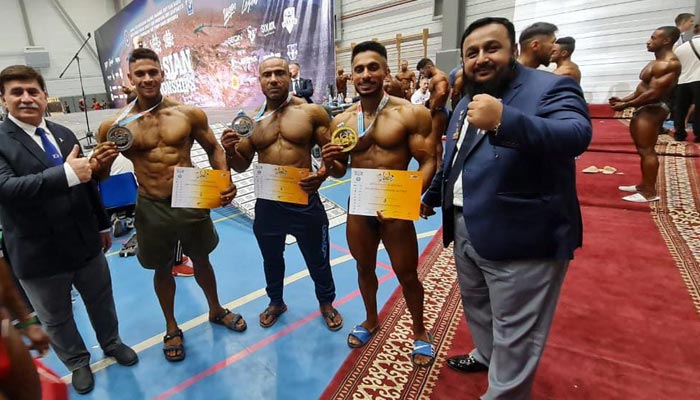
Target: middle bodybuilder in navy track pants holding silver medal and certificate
x,y
286,128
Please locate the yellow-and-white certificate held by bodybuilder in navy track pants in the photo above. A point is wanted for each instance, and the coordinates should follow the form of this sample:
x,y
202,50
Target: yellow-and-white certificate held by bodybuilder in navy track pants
x,y
280,183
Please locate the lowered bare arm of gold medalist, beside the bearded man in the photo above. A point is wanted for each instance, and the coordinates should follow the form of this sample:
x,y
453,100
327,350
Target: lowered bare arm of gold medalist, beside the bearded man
x,y
421,143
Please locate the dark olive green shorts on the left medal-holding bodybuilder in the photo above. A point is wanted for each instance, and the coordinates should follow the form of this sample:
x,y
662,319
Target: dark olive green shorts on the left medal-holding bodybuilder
x,y
159,227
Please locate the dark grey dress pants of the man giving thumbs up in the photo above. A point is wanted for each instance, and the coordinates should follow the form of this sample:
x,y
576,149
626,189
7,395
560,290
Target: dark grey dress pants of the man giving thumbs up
x,y
51,300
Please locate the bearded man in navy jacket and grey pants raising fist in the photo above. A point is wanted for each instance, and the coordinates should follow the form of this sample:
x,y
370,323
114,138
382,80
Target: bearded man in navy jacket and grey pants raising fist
x,y
508,193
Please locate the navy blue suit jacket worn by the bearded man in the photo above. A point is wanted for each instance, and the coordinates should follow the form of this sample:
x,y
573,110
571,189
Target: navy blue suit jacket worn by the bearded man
x,y
519,186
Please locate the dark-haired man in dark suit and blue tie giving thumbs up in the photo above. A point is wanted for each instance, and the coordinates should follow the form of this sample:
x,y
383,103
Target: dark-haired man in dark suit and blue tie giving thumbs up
x,y
55,227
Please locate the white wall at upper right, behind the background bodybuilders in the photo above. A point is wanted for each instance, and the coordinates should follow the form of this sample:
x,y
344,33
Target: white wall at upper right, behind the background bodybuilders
x,y
610,36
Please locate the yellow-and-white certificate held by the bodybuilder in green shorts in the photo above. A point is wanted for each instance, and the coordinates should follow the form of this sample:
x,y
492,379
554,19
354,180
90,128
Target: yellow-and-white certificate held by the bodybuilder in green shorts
x,y
199,188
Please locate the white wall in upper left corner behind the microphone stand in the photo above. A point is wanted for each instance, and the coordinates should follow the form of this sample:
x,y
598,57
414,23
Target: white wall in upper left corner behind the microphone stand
x,y
51,31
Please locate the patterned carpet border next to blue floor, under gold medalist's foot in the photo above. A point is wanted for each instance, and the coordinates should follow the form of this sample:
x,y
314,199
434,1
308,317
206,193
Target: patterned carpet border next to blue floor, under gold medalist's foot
x,y
382,369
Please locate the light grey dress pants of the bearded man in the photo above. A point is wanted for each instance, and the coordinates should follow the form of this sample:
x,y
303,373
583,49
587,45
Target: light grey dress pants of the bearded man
x,y
509,306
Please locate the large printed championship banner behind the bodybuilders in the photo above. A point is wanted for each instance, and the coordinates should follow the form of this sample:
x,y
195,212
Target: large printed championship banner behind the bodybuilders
x,y
210,50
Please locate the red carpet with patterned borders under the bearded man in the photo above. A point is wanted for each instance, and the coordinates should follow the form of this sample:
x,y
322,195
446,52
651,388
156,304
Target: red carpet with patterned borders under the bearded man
x,y
626,326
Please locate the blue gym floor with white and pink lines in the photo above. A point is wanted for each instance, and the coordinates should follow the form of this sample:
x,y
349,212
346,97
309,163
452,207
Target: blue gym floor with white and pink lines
x,y
294,359
